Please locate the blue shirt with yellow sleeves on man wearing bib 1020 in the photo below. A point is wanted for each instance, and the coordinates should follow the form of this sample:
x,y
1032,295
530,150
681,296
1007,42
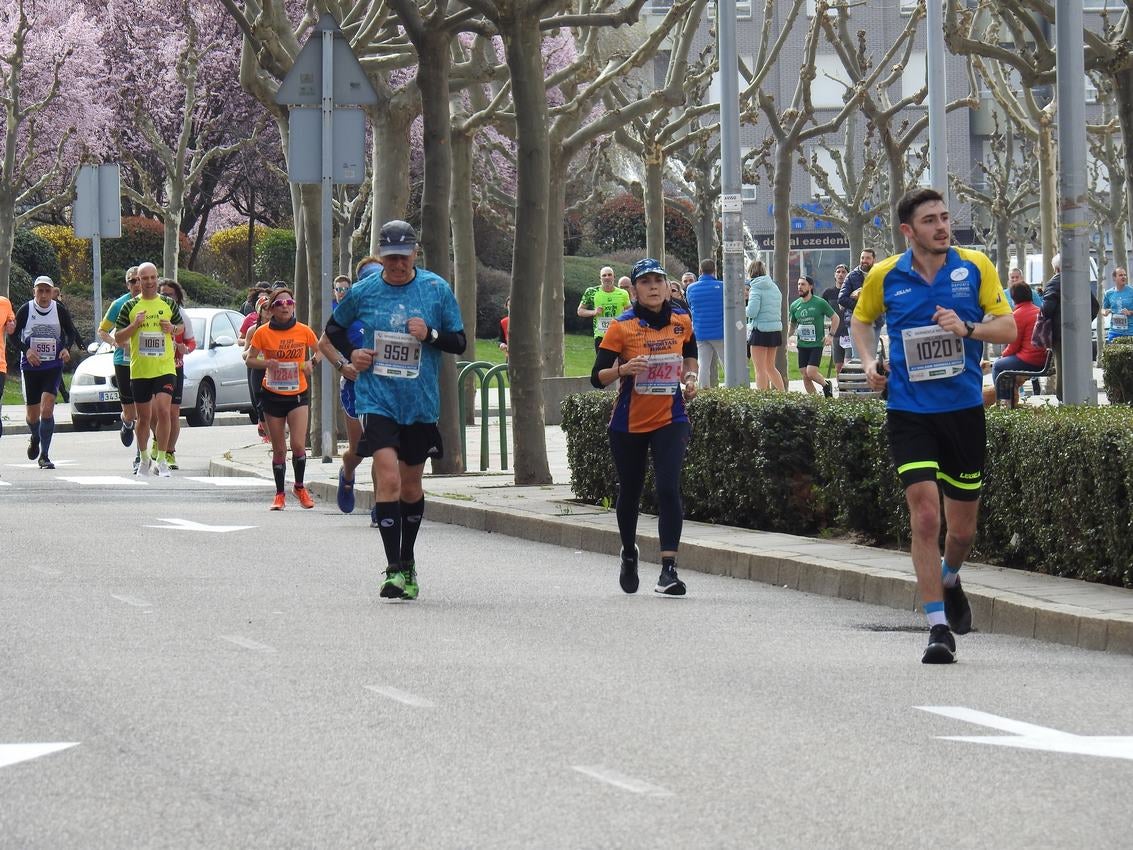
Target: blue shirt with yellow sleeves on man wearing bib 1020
x,y
933,371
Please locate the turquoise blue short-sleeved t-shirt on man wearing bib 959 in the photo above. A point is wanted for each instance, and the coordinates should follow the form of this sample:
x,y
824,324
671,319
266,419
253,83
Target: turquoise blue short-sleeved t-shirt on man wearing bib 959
x,y
385,308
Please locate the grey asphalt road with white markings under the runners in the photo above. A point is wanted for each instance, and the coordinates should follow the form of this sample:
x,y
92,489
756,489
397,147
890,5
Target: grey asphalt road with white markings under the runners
x,y
250,690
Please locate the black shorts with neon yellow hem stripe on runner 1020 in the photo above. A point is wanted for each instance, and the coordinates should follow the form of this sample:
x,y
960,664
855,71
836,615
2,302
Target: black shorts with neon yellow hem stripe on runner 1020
x,y
948,448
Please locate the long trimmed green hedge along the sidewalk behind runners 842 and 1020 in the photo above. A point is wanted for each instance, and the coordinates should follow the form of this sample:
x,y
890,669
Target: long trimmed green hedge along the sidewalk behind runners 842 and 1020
x,y
1055,498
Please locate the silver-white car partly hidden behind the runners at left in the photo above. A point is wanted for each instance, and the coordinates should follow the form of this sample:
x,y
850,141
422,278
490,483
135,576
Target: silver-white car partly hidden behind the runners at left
x,y
216,378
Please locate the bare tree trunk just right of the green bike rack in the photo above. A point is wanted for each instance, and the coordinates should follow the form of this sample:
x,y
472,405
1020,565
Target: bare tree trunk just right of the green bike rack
x,y
523,46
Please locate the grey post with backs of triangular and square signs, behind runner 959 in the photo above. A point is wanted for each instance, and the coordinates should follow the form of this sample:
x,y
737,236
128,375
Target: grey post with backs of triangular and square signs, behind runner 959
x,y
327,74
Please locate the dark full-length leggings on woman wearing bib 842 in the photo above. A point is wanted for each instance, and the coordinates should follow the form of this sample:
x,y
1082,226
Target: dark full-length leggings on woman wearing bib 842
x,y
668,446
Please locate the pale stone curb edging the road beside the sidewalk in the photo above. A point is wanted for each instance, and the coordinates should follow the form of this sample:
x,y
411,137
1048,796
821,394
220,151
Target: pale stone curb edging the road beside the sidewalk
x,y
1001,613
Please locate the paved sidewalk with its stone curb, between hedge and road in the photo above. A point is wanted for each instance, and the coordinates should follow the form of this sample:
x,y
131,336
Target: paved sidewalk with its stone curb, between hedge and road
x,y
1011,602
